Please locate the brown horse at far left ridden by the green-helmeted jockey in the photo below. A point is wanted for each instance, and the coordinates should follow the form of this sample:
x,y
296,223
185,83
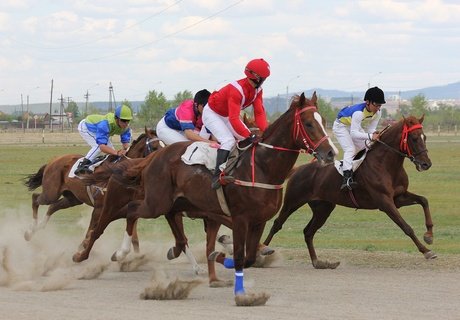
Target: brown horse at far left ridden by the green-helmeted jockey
x,y
59,191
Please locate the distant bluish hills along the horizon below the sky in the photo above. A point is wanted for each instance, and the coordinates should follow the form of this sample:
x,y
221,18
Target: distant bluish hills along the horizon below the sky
x,y
279,102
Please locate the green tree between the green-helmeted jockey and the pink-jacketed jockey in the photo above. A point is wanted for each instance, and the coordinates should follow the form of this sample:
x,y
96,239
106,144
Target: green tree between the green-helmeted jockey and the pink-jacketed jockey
x,y
153,108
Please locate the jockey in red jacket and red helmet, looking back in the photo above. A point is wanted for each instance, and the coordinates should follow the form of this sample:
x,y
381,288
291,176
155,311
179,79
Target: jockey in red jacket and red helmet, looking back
x,y
222,113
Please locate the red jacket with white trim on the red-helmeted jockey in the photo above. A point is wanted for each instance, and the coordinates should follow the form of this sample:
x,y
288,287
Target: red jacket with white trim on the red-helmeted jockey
x,y
229,101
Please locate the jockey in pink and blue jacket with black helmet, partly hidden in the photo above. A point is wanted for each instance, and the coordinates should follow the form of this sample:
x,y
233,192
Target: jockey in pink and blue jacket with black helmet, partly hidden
x,y
184,123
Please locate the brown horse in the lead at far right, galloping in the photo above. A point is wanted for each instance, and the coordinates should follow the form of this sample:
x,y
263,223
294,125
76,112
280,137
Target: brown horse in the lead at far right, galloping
x,y
382,184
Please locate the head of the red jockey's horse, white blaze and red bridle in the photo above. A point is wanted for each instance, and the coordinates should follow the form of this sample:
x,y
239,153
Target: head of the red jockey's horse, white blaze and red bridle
x,y
309,131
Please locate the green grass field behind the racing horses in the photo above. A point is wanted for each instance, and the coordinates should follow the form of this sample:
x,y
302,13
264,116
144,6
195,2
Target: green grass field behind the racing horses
x,y
346,228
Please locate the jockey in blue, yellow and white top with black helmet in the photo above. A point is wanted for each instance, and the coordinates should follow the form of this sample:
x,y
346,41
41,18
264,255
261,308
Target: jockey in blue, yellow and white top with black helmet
x,y
349,131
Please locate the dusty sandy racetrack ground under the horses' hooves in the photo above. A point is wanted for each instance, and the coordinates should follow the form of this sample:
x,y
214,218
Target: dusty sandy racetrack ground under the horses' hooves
x,y
38,280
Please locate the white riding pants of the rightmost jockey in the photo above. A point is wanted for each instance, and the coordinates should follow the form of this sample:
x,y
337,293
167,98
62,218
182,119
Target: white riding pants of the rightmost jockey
x,y
349,145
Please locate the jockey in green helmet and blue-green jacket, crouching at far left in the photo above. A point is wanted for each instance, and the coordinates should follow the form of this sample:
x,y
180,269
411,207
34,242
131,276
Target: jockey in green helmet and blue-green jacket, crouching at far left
x,y
97,129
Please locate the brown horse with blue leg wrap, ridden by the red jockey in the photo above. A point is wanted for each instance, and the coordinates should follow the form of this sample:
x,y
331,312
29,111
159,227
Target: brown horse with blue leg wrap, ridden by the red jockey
x,y
171,187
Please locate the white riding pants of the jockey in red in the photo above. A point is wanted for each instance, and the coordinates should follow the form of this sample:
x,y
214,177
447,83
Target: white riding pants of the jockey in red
x,y
220,128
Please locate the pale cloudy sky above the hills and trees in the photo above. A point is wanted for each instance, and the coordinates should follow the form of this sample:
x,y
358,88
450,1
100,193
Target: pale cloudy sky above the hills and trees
x,y
176,45
